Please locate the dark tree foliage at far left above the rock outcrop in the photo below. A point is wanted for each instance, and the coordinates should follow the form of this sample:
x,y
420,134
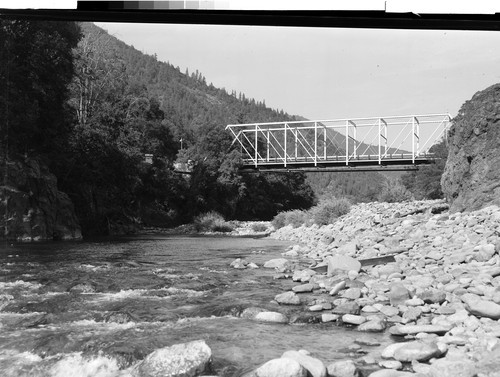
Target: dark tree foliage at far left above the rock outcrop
x,y
36,66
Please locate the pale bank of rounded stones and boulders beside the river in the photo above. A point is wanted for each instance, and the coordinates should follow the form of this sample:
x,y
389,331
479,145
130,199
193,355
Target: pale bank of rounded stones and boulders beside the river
x,y
429,277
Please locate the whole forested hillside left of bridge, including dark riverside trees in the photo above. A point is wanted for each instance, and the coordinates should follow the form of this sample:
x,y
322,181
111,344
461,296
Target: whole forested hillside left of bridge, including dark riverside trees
x,y
92,107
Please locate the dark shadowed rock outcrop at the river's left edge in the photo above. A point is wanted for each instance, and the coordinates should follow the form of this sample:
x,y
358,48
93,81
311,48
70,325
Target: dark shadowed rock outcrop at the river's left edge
x,y
31,206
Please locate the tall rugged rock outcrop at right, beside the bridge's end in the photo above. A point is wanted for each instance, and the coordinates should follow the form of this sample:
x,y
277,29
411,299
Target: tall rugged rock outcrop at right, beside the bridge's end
x,y
471,179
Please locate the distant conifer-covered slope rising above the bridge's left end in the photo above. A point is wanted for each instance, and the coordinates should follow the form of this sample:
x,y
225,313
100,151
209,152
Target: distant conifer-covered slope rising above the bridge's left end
x,y
187,99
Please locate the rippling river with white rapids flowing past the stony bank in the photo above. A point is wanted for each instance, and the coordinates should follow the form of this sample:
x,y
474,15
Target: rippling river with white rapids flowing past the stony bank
x,y
95,308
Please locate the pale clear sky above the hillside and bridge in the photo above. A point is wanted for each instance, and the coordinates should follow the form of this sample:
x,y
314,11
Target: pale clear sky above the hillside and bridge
x,y
330,73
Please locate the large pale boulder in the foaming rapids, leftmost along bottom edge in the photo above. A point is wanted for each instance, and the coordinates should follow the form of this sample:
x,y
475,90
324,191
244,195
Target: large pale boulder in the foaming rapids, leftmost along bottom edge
x,y
186,360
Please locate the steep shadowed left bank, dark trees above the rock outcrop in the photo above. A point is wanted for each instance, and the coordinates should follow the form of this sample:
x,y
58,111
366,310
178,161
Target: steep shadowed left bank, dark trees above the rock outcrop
x,y
36,66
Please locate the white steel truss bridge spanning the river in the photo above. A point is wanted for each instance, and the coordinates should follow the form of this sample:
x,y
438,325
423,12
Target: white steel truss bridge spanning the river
x,y
379,143
